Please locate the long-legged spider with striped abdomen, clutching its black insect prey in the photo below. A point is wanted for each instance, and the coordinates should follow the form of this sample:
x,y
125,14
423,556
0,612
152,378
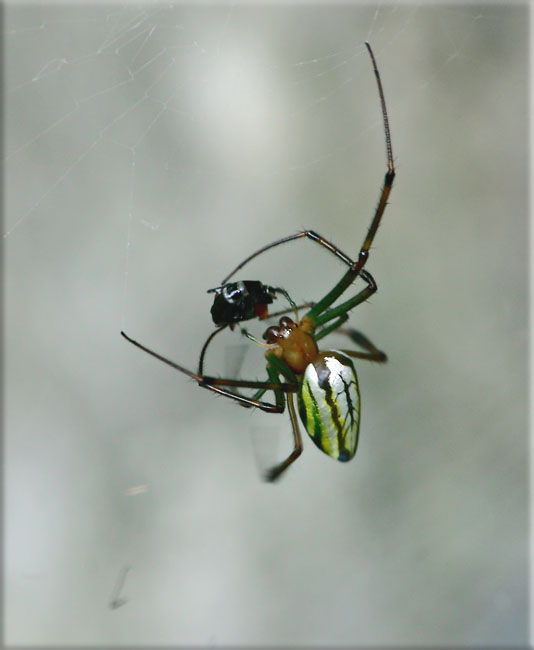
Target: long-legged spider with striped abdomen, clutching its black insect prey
x,y
325,382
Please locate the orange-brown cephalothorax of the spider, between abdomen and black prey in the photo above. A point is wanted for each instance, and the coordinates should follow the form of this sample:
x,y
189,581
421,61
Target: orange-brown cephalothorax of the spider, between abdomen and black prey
x,y
295,343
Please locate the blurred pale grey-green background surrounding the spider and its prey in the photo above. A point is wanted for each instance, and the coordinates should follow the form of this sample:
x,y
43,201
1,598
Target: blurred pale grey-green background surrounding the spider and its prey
x,y
149,148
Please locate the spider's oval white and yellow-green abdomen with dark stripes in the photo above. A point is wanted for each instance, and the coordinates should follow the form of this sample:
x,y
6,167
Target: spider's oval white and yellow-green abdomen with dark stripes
x,y
329,404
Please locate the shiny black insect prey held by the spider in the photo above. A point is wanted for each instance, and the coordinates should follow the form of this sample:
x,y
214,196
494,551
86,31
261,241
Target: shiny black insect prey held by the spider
x,y
239,301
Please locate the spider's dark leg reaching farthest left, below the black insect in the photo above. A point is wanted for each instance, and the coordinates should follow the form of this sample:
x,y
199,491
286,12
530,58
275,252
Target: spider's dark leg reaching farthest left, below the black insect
x,y
217,384
